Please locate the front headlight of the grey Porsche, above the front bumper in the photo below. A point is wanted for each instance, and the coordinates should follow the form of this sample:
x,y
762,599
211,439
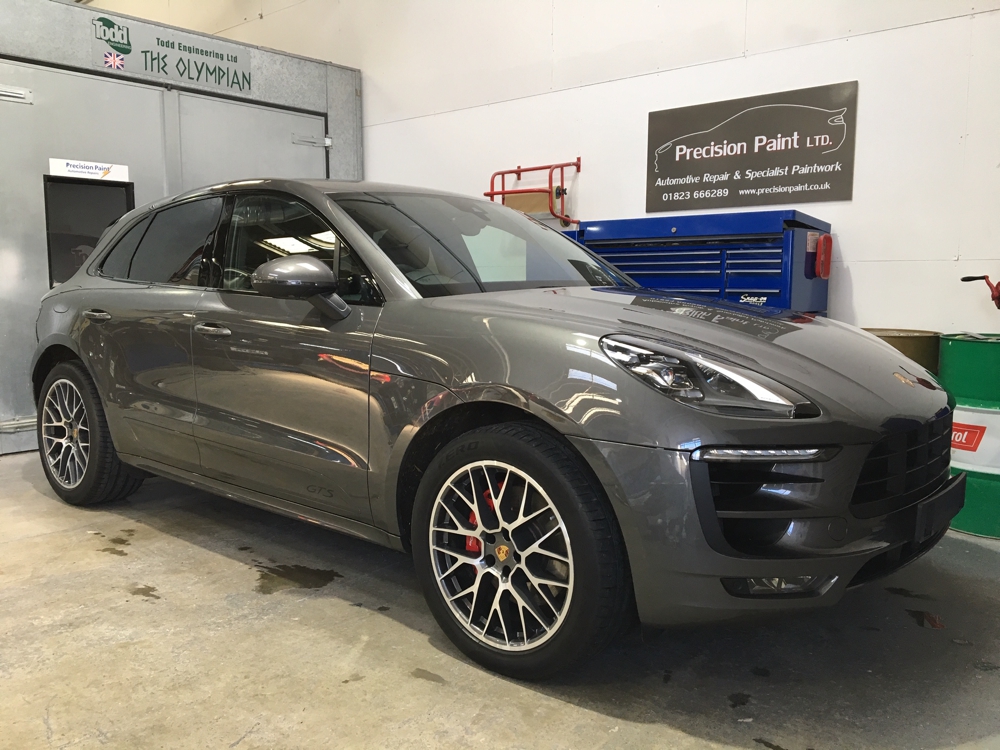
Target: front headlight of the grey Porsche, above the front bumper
x,y
705,383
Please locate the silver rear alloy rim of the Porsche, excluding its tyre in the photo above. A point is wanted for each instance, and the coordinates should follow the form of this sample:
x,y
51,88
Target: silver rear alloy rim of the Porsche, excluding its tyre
x,y
65,433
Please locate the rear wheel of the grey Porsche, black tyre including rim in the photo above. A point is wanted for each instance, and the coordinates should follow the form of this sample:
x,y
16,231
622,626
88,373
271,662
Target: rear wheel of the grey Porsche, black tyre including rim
x,y
78,456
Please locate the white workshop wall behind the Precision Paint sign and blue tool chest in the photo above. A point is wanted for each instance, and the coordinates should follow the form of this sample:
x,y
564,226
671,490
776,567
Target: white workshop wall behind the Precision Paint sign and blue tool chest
x,y
456,90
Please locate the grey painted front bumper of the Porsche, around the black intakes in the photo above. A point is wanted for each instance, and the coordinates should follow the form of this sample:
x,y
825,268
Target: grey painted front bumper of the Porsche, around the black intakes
x,y
678,562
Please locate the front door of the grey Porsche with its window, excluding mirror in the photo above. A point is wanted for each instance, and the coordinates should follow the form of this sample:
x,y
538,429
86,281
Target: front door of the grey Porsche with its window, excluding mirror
x,y
282,390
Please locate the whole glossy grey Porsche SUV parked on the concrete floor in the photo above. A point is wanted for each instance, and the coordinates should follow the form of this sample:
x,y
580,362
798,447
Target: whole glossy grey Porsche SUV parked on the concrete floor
x,y
559,449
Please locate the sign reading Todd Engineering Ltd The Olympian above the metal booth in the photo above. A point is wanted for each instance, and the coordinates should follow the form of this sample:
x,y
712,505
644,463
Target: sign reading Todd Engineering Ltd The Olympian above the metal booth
x,y
147,51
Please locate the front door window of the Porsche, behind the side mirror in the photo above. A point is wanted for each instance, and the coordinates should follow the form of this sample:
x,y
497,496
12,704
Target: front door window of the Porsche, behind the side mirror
x,y
265,227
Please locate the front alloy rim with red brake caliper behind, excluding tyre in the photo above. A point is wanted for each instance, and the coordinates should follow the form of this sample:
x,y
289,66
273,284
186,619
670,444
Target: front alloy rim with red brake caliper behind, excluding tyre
x,y
501,555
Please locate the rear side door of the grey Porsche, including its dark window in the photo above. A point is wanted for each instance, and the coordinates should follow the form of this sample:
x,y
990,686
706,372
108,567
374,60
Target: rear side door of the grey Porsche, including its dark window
x,y
137,330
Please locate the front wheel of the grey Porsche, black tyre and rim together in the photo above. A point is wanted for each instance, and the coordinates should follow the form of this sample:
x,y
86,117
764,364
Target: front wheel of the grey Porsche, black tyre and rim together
x,y
546,560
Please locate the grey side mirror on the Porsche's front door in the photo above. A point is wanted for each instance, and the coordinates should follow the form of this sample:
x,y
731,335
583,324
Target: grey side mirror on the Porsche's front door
x,y
301,277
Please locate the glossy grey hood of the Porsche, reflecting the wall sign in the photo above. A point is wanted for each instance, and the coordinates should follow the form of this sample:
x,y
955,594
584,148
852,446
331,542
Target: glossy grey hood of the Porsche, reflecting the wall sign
x,y
830,362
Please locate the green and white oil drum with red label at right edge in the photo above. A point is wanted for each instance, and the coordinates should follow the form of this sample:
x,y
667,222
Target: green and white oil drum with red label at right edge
x,y
970,370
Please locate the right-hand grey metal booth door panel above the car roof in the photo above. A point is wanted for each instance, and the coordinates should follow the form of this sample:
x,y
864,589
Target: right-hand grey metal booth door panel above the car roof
x,y
223,140
